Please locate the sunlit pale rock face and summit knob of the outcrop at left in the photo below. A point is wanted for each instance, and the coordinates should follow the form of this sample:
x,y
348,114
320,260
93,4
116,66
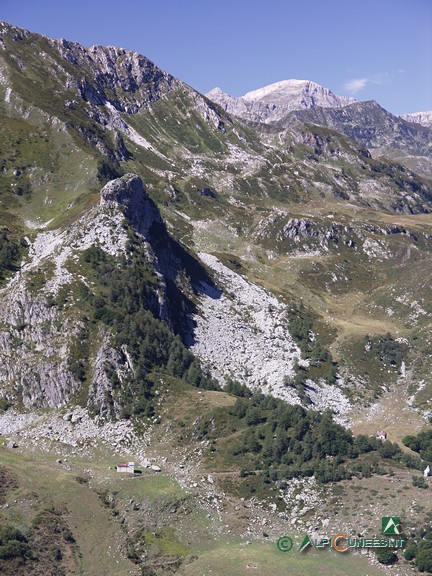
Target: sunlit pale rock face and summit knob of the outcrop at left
x,y
38,328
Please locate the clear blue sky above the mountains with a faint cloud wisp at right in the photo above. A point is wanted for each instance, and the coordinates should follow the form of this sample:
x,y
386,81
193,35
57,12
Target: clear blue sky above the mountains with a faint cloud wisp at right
x,y
370,49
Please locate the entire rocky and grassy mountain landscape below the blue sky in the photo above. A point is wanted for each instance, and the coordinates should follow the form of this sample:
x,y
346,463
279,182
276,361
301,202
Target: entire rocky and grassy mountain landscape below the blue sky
x,y
215,320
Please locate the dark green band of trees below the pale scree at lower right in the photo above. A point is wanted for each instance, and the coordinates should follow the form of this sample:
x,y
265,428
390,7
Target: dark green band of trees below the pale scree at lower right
x,y
281,441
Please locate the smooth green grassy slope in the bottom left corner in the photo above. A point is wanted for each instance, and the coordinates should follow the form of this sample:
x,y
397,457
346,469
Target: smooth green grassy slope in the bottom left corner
x,y
43,483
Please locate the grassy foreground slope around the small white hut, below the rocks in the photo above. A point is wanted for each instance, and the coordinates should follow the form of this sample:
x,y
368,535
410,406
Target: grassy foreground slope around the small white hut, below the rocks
x,y
168,521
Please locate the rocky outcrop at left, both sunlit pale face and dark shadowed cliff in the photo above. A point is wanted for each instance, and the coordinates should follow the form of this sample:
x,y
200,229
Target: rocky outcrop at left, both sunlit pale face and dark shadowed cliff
x,y
41,328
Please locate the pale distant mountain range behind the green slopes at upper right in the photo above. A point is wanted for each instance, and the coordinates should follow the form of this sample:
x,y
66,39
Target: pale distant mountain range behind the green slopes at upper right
x,y
290,103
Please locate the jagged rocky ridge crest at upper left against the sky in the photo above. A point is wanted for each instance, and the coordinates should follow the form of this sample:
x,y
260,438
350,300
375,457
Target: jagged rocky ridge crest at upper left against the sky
x,y
103,84
